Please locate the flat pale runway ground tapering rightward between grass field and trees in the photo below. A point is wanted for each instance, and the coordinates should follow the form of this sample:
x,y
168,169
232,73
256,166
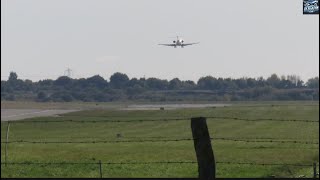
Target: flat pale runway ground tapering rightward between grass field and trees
x,y
21,110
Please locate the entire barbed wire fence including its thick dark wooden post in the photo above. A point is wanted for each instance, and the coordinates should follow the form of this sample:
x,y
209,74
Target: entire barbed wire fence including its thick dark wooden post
x,y
200,149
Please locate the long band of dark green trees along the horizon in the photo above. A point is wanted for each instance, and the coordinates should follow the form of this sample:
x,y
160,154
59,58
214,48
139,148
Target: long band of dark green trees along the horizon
x,y
122,88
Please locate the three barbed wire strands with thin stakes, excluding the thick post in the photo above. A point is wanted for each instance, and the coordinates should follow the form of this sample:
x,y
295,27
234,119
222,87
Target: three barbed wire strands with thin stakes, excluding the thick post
x,y
157,139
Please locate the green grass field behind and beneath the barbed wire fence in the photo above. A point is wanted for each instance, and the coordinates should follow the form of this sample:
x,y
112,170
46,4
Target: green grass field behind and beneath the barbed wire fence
x,y
225,151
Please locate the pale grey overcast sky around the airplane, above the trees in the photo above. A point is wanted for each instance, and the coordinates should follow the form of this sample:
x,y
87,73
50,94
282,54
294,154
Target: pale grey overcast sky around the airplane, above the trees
x,y
40,39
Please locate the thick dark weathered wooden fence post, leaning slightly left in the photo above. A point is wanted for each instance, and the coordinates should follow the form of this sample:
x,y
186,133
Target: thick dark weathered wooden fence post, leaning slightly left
x,y
204,152
